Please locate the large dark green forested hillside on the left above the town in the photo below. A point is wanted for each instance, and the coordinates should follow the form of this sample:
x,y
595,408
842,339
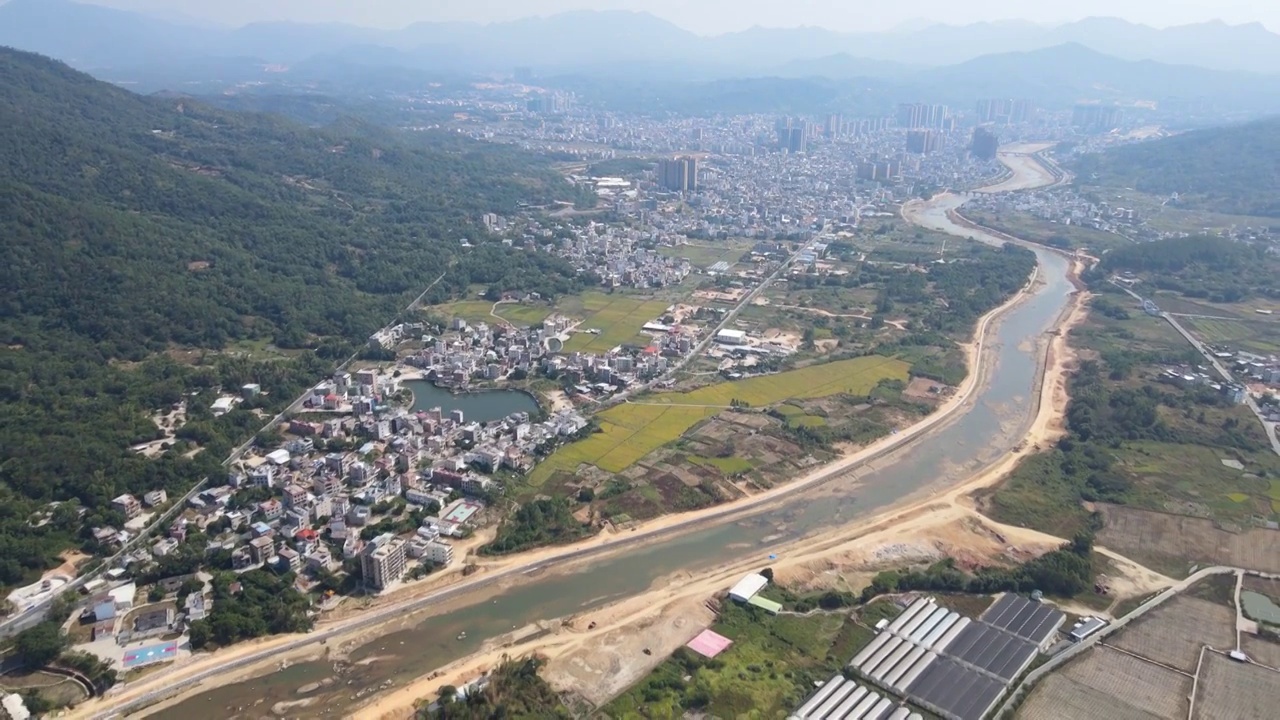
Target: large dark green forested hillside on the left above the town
x,y
135,226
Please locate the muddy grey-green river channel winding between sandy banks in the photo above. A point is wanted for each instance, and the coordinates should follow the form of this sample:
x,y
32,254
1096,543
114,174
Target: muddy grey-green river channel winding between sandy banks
x,y
990,427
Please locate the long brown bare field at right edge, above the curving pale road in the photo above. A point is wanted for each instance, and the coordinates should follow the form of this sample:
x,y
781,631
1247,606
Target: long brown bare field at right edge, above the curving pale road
x,y
1146,534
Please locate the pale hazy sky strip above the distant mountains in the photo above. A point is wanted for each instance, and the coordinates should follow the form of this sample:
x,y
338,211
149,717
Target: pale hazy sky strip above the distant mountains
x,y
719,16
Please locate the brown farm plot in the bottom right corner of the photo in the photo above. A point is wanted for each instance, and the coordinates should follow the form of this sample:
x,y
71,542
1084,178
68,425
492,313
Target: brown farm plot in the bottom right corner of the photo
x,y
1236,690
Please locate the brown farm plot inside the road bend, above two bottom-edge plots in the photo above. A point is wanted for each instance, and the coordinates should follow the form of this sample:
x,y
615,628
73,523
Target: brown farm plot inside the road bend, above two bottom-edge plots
x,y
1174,634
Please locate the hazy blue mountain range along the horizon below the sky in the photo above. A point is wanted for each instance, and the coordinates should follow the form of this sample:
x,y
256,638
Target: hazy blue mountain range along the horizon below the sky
x,y
99,39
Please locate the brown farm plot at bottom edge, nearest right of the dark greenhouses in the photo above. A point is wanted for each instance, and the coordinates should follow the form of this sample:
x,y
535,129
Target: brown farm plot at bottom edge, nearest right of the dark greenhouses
x,y
1126,682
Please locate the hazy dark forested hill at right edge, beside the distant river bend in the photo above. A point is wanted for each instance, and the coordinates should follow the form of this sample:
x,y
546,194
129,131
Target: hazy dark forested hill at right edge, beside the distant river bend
x,y
1232,170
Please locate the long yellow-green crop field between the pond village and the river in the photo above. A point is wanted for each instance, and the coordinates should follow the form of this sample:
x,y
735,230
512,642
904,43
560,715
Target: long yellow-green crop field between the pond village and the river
x,y
632,431
